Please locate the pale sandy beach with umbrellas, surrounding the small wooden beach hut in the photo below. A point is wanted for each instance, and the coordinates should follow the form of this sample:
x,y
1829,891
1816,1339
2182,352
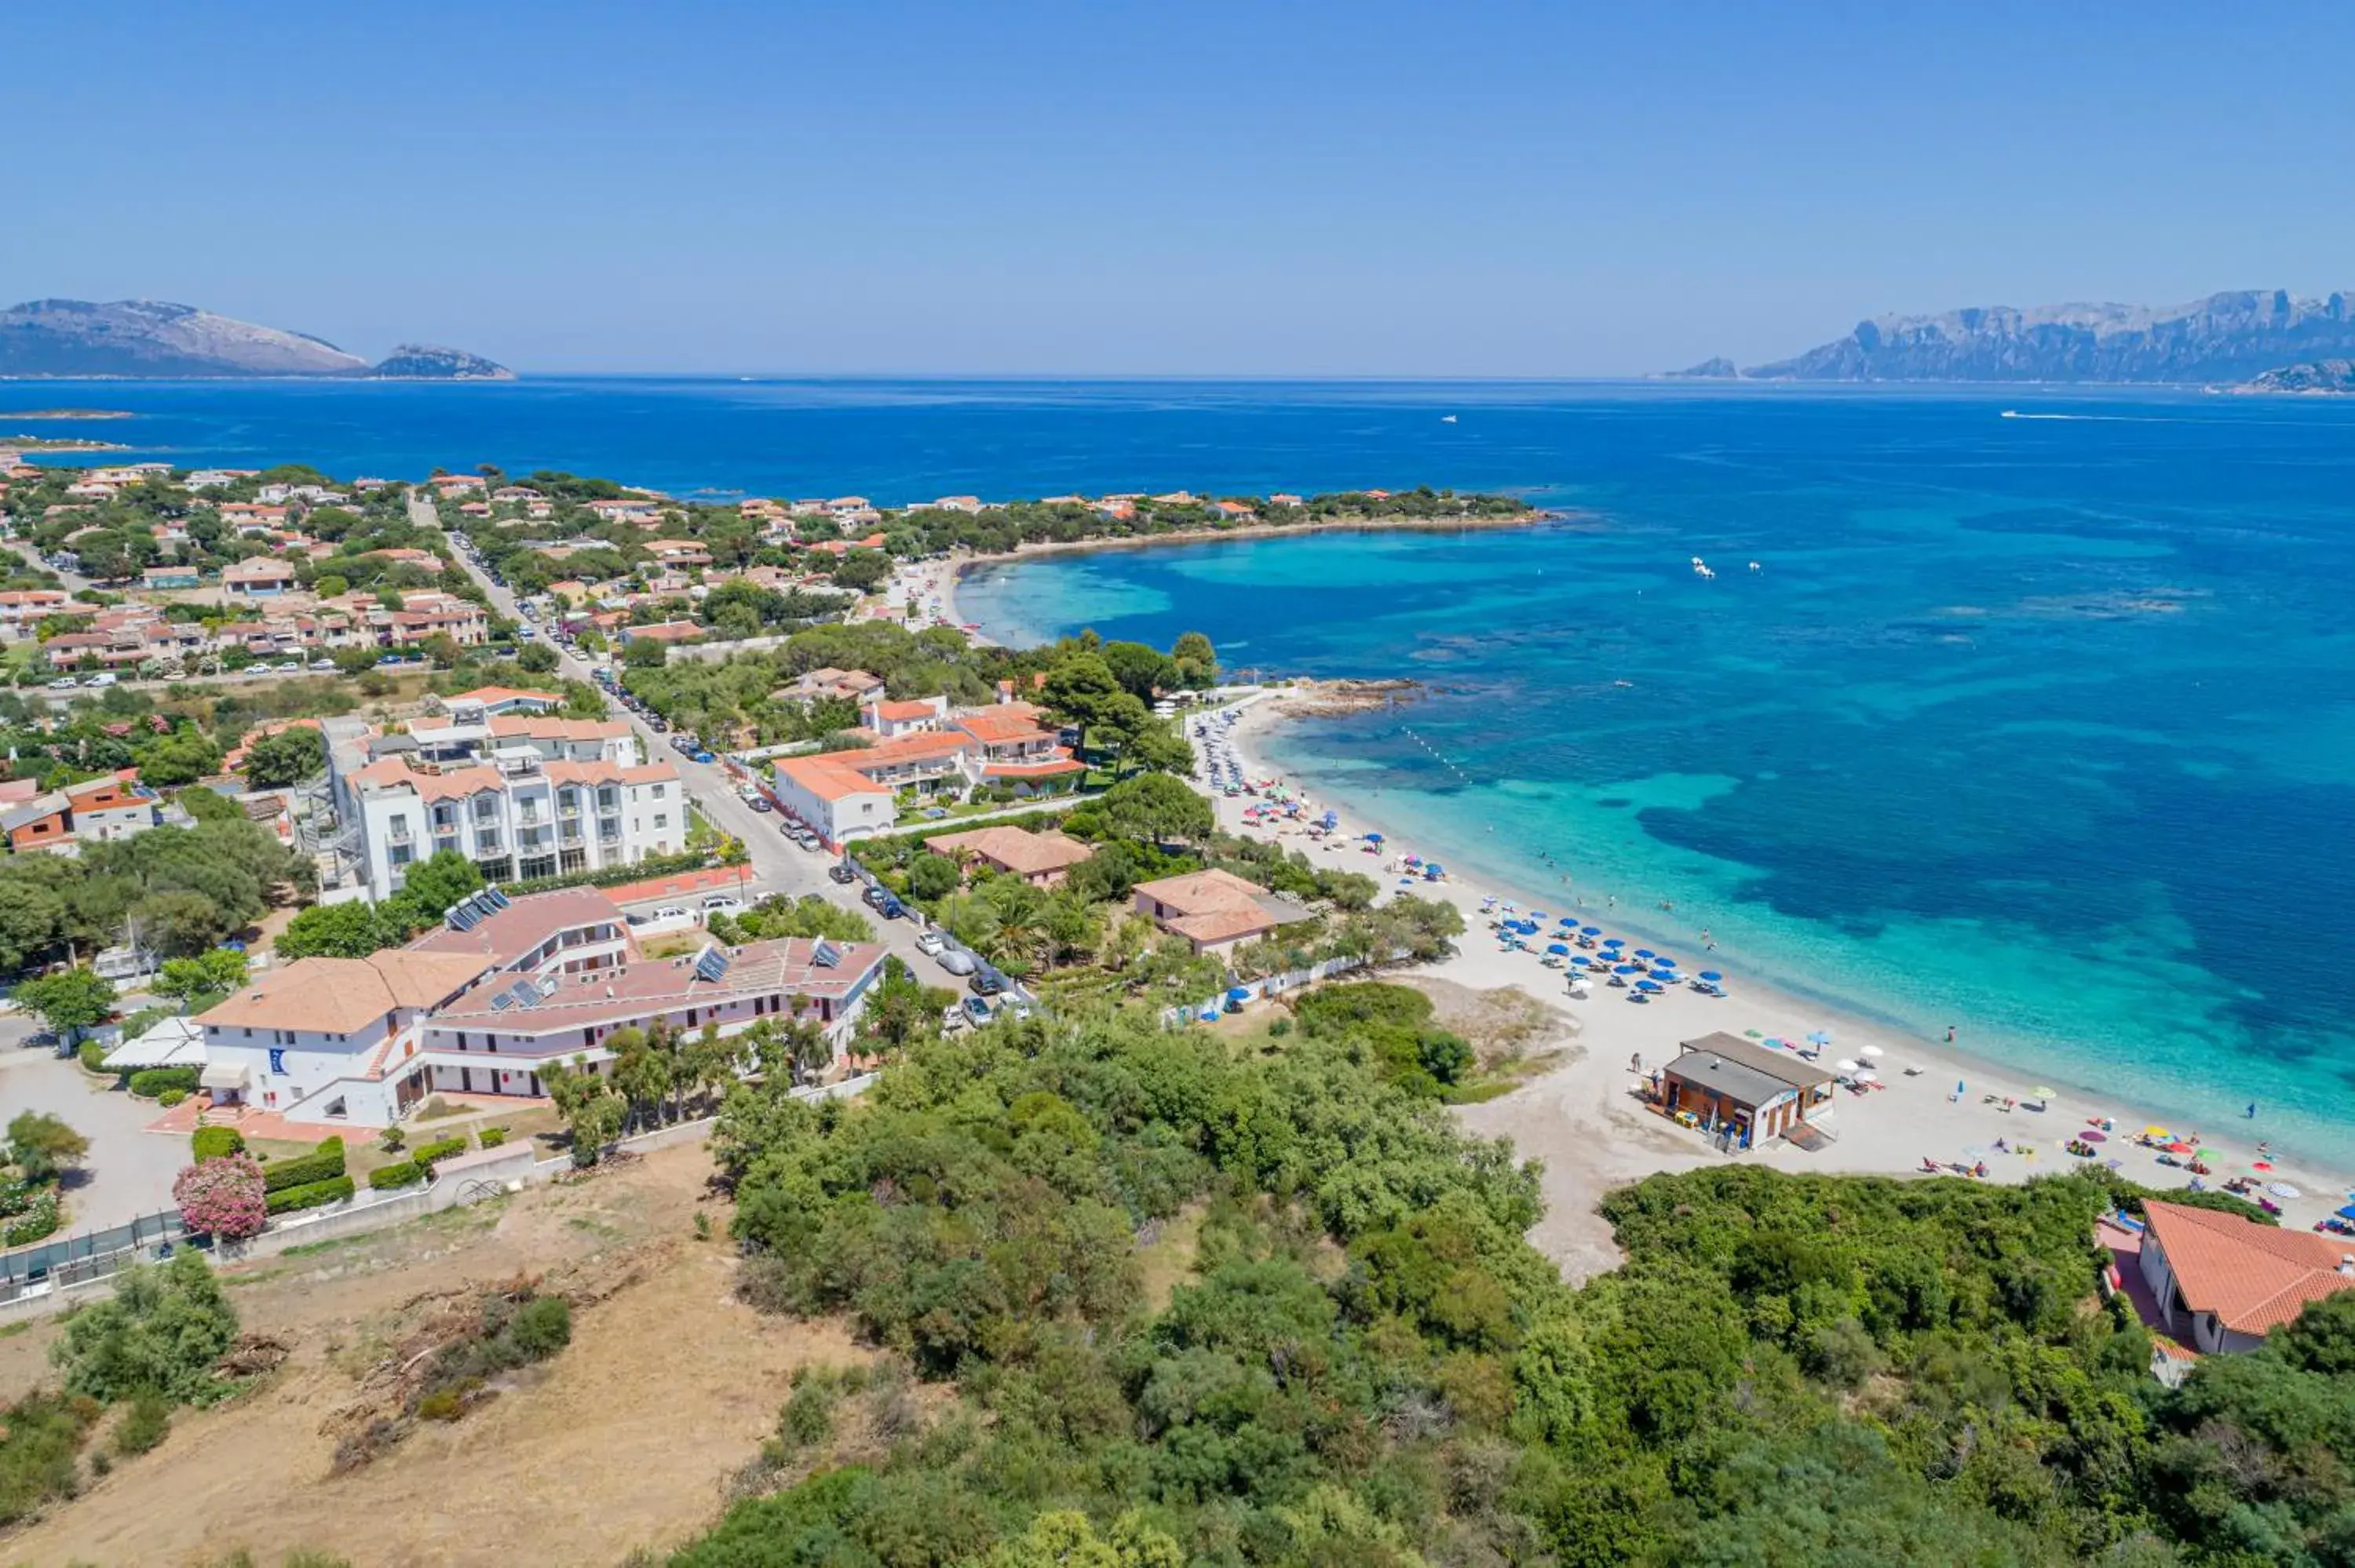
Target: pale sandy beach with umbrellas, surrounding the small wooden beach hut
x,y
1588,1124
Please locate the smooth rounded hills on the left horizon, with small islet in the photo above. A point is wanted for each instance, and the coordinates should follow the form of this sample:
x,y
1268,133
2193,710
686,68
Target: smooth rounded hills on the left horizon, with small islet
x,y
157,340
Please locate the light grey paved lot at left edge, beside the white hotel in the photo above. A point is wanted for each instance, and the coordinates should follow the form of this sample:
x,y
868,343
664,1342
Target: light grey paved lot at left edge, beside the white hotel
x,y
128,1171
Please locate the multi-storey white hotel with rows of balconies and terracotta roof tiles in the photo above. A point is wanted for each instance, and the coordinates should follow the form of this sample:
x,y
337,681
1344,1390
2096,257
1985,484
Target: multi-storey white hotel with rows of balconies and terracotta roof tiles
x,y
517,792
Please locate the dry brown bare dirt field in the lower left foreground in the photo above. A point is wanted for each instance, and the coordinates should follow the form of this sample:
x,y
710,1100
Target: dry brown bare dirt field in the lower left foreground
x,y
621,1442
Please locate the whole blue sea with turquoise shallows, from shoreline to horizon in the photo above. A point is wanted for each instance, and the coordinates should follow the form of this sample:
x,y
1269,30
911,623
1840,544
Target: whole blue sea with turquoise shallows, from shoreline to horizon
x,y
2024,712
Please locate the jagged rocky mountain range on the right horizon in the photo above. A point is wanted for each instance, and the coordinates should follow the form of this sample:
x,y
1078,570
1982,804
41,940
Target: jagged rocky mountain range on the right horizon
x,y
2224,338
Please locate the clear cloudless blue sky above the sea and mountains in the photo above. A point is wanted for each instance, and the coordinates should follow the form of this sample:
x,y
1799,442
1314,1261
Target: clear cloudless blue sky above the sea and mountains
x,y
1167,190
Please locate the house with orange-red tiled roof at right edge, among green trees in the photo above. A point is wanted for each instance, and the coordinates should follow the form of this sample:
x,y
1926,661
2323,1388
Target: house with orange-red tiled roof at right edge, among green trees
x,y
2227,1282
